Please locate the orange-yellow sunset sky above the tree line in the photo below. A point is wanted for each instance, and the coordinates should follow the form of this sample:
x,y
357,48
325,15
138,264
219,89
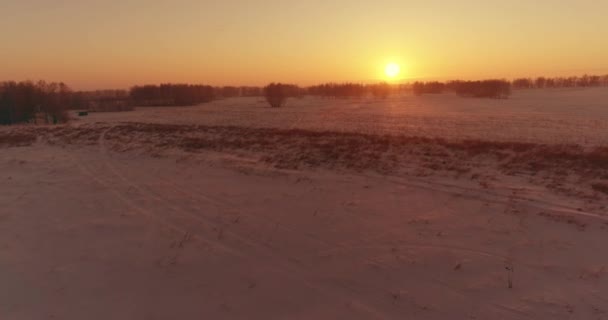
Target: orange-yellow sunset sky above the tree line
x,y
95,44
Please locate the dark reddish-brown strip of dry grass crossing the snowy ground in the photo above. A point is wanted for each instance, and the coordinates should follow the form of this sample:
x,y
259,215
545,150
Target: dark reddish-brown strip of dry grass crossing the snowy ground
x,y
298,148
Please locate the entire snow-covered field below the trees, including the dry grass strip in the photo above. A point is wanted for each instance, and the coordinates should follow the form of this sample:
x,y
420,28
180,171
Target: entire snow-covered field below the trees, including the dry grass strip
x,y
433,207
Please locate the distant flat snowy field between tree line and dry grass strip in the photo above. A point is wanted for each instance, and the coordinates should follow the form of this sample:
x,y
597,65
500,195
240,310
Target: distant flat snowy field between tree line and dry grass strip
x,y
552,116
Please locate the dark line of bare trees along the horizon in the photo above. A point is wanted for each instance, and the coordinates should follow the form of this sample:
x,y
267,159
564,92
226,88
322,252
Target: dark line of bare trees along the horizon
x,y
27,101
